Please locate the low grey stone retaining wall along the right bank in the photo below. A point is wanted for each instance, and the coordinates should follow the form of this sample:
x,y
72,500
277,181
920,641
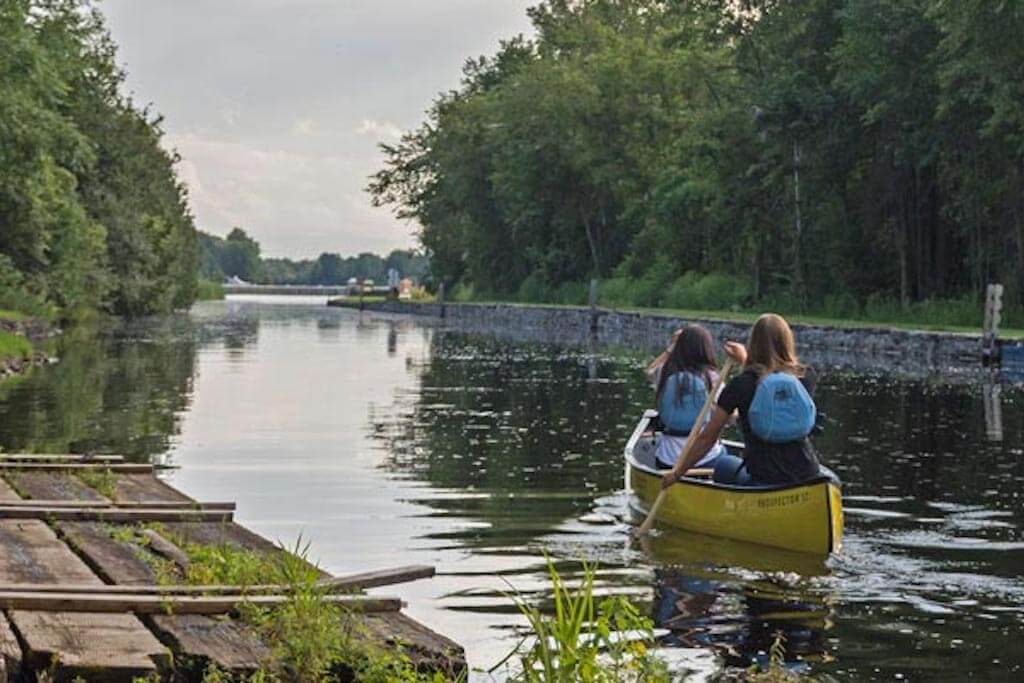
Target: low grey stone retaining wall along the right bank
x,y
862,346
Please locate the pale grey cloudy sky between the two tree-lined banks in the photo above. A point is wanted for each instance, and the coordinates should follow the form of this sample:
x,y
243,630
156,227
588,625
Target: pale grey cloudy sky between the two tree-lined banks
x,y
277,106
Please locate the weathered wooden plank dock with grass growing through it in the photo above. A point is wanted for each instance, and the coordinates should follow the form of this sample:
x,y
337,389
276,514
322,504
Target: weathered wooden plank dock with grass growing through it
x,y
155,584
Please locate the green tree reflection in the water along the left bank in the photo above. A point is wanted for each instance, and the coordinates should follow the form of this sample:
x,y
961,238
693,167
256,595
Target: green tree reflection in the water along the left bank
x,y
113,392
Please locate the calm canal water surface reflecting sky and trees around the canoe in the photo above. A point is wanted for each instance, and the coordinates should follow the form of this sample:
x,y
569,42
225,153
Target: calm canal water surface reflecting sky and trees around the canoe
x,y
392,442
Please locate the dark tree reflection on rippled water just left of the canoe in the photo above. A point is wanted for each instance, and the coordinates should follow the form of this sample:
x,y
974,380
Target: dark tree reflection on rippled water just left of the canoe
x,y
521,426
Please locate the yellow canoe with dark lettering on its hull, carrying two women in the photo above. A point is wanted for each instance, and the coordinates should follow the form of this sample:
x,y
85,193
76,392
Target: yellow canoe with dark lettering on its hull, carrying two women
x,y
806,518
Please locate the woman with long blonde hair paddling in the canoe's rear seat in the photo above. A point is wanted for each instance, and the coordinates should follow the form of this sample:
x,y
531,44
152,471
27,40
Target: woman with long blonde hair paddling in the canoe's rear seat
x,y
773,396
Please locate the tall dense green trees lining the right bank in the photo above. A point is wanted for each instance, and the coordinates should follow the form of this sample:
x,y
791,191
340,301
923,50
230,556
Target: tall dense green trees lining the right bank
x,y
828,155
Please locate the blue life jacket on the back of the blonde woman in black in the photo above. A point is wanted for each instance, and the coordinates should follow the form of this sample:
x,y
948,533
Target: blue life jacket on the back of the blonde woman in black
x,y
783,411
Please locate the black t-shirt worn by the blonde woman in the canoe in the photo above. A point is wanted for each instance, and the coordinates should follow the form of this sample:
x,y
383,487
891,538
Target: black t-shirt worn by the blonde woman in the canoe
x,y
770,463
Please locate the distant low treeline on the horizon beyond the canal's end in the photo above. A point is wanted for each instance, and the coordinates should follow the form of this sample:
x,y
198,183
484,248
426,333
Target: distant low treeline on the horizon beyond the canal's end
x,y
239,255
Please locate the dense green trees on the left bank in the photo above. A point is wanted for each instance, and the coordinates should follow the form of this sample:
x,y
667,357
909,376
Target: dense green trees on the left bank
x,y
92,212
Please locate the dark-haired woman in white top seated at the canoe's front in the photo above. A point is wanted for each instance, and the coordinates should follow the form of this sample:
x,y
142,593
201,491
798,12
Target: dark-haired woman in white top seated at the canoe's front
x,y
686,377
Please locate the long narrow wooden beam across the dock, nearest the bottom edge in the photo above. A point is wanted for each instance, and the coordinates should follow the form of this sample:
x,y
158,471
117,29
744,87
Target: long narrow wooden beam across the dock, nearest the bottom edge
x,y
176,605
